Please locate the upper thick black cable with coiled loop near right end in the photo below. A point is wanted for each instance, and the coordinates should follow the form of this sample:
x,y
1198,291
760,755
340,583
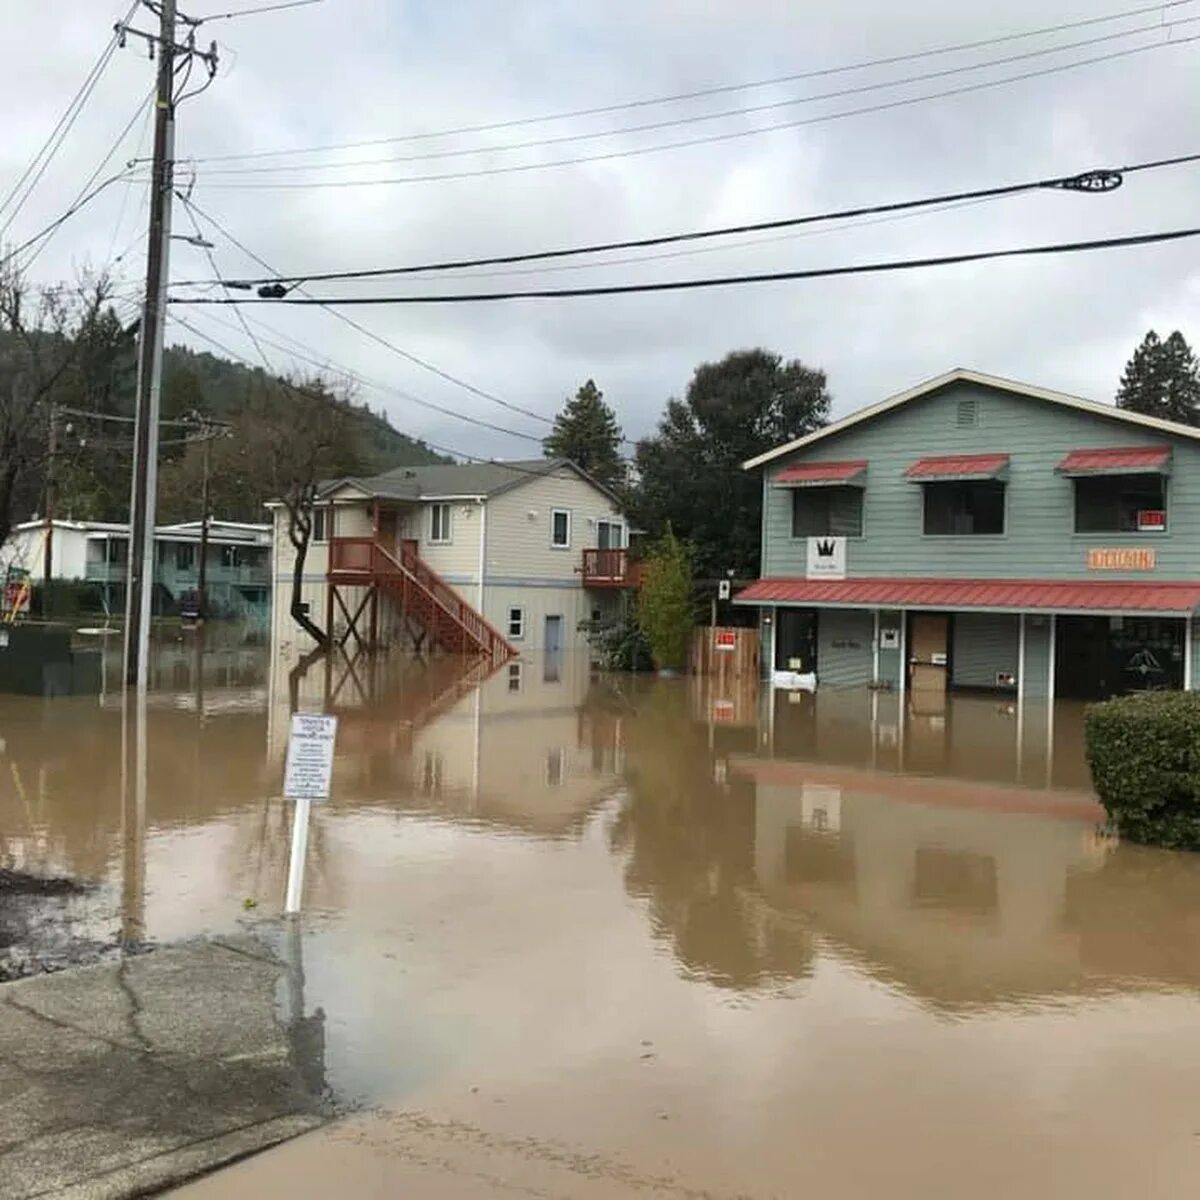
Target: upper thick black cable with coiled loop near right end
x,y
1105,179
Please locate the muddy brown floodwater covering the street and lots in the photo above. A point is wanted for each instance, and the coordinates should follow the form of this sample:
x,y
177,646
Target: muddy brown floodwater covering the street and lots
x,y
579,937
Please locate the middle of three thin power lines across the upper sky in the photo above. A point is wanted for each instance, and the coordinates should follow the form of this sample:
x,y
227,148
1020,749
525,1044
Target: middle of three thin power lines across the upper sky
x,y
697,119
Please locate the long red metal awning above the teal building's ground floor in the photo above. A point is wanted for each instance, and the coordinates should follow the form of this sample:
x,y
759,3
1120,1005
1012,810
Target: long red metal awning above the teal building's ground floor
x,y
1167,598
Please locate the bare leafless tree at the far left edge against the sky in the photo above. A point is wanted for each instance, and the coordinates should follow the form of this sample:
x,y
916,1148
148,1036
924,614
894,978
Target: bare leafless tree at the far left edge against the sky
x,y
43,332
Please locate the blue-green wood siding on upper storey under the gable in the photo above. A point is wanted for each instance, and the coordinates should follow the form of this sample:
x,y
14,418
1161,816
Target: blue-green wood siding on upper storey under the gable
x,y
1040,539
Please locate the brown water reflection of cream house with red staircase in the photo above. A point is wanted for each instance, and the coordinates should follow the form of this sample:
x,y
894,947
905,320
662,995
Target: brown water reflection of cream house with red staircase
x,y
525,746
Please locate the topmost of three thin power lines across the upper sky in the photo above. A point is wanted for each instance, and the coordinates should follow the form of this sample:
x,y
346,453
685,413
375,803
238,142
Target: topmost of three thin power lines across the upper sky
x,y
722,89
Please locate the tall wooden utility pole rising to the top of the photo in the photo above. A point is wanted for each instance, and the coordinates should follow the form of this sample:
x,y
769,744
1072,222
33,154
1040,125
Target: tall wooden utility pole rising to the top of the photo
x,y
140,580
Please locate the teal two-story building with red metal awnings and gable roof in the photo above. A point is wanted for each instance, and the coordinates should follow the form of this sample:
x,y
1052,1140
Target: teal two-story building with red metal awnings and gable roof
x,y
976,533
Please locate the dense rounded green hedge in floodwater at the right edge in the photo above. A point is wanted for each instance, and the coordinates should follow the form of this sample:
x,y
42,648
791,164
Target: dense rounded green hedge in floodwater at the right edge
x,y
1144,753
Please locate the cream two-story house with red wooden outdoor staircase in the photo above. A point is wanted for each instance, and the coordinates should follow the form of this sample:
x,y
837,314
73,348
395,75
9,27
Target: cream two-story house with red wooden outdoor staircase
x,y
503,556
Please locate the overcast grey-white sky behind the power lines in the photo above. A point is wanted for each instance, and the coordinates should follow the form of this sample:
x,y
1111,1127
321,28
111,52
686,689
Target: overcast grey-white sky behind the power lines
x,y
358,70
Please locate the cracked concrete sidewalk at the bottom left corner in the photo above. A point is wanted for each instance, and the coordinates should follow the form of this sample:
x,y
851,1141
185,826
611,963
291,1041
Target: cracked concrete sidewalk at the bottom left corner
x,y
129,1077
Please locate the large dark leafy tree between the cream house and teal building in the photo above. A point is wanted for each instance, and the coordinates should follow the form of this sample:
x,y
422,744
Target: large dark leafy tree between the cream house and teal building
x,y
691,472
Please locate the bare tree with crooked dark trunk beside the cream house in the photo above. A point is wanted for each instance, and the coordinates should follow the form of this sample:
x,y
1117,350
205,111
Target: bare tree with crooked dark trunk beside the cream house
x,y
297,435
